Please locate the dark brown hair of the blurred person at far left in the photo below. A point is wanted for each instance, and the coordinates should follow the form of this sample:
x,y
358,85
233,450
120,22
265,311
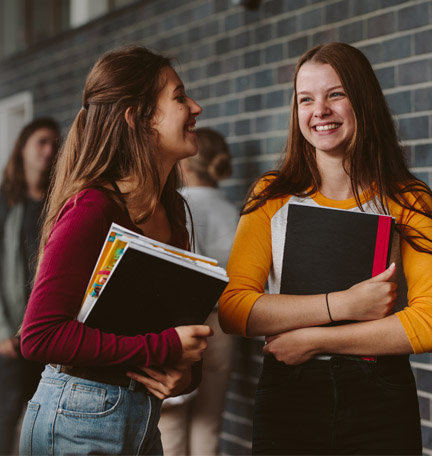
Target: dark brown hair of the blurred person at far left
x,y
14,184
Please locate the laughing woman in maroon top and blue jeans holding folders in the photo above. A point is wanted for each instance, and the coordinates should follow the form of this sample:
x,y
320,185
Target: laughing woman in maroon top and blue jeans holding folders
x,y
118,164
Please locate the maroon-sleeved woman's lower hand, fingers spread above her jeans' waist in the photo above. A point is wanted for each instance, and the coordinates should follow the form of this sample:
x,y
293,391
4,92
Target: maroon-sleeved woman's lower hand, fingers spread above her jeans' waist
x,y
166,382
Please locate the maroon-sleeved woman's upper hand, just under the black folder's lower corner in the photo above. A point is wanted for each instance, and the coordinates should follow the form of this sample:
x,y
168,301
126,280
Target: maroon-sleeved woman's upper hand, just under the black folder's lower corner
x,y
194,343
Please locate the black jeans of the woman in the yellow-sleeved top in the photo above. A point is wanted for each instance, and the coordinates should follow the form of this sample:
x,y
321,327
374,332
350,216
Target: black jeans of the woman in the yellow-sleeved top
x,y
339,406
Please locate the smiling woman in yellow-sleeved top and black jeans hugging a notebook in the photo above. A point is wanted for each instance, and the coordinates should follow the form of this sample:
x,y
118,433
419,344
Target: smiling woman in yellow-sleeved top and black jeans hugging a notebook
x,y
342,152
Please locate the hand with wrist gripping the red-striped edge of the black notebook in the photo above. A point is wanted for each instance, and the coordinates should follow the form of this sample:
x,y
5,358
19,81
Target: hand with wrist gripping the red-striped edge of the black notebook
x,y
371,299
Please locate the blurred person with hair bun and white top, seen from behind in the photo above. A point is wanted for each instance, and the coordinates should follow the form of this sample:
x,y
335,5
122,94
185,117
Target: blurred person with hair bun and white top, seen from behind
x,y
190,424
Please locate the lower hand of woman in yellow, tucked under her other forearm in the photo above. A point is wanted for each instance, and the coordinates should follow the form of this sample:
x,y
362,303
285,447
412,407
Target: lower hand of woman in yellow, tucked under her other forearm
x,y
292,347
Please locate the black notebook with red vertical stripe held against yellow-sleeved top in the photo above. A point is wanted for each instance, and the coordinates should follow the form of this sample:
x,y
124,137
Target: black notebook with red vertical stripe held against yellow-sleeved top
x,y
329,249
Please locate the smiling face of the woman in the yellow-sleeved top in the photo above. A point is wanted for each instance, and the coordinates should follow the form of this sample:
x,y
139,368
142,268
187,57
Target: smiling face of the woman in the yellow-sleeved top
x,y
325,114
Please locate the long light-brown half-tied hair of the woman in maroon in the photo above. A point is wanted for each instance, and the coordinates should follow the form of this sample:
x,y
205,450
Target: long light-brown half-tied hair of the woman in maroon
x,y
101,147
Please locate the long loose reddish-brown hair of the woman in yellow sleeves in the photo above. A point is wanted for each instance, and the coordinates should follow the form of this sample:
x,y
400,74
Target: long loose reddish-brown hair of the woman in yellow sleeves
x,y
374,158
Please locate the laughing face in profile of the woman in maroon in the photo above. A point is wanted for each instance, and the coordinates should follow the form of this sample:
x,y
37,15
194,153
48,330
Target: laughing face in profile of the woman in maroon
x,y
175,120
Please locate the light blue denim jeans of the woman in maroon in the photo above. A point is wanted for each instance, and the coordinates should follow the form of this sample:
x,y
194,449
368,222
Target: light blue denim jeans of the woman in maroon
x,y
70,416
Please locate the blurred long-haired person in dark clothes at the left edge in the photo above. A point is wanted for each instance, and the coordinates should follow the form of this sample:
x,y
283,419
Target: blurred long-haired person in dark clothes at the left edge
x,y
22,192
